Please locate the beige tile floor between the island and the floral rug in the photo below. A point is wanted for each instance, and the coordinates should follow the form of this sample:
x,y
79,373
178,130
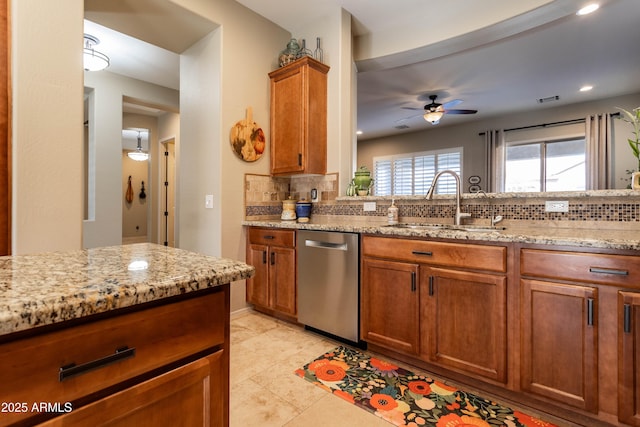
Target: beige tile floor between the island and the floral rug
x,y
265,392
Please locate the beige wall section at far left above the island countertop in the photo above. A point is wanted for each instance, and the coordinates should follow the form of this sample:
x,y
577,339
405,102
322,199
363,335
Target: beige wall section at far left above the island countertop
x,y
47,128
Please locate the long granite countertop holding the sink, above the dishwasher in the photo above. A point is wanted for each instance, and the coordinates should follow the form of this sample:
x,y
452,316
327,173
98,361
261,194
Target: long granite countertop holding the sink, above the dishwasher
x,y
551,234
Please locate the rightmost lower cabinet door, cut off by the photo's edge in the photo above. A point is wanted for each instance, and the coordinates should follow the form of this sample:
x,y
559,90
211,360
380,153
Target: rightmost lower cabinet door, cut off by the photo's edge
x,y
629,358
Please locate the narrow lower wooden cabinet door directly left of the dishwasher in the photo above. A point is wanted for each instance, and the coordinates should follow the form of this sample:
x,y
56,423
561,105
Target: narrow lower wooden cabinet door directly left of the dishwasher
x,y
282,279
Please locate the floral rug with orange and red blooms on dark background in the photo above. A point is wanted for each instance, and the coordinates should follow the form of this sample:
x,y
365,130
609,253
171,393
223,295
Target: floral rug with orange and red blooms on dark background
x,y
404,398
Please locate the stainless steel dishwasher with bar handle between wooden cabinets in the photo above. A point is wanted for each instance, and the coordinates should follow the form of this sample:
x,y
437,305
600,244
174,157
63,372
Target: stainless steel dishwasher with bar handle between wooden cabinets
x,y
328,282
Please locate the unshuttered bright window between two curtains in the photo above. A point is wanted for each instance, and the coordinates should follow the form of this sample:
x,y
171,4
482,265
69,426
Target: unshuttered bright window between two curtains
x,y
546,166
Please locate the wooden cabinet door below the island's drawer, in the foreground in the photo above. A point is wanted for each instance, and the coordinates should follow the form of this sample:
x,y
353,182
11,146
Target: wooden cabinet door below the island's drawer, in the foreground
x,y
187,396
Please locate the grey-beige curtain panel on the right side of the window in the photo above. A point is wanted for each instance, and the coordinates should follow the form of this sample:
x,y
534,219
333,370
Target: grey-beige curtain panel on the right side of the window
x,y
598,142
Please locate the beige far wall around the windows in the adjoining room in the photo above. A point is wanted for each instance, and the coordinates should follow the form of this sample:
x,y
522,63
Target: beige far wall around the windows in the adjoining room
x,y
466,136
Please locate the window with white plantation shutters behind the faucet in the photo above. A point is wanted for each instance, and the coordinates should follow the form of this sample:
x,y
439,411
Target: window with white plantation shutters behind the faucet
x,y
412,173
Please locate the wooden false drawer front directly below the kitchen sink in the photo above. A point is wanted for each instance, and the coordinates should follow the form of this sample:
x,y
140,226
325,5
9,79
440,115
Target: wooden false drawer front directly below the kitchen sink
x,y
490,258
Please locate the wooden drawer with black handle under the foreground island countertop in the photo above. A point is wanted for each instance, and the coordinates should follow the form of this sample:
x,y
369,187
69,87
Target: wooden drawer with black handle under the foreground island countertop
x,y
31,367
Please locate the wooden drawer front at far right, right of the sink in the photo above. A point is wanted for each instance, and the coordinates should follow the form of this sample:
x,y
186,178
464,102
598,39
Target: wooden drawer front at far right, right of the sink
x,y
619,270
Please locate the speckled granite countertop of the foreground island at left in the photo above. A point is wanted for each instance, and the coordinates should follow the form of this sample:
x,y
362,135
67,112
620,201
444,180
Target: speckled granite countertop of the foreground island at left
x,y
48,288
